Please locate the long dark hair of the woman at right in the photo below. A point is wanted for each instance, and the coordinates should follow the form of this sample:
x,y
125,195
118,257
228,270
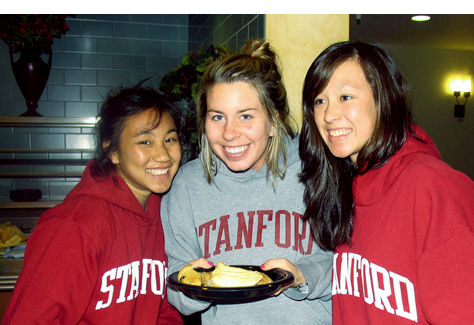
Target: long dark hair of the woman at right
x,y
328,179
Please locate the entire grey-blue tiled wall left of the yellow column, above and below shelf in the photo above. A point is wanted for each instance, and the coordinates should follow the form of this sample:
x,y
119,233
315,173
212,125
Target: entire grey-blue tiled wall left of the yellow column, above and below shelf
x,y
97,53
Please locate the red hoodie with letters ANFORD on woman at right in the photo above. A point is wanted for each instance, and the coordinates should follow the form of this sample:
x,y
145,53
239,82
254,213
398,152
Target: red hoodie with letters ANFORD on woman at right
x,y
412,254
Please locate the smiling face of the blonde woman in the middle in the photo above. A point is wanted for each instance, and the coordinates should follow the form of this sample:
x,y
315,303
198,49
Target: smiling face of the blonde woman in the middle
x,y
237,126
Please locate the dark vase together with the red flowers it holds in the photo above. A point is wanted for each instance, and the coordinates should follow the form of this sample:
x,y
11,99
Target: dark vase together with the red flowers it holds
x,y
31,35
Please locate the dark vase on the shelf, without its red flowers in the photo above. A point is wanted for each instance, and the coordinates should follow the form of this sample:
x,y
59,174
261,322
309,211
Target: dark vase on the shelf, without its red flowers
x,y
31,74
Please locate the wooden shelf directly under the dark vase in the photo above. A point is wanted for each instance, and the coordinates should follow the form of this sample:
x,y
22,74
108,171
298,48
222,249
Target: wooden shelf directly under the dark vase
x,y
48,121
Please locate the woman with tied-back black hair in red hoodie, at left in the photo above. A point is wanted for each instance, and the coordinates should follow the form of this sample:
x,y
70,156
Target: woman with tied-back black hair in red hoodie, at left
x,y
99,257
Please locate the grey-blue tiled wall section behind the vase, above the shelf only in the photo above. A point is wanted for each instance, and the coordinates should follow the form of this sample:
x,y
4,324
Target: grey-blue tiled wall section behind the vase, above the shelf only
x,y
99,52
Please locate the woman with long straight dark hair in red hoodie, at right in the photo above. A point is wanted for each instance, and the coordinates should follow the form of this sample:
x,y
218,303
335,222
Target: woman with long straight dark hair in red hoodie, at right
x,y
399,220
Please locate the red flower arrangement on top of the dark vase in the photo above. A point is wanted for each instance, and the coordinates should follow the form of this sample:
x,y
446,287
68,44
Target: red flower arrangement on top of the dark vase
x,y
32,31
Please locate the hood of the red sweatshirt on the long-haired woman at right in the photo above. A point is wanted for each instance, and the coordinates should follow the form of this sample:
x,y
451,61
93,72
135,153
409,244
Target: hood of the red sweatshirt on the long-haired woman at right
x,y
374,185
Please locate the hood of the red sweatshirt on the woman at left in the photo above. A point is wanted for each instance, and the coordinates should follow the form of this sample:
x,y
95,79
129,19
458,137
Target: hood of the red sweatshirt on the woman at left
x,y
118,194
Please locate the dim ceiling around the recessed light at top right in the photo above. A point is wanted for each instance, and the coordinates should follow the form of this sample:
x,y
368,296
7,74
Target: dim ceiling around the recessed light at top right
x,y
455,32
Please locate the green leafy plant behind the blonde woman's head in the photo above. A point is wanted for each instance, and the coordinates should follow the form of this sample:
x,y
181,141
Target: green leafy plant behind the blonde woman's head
x,y
182,84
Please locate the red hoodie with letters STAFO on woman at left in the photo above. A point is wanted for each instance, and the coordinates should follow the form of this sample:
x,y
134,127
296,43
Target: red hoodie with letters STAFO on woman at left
x,y
97,258
